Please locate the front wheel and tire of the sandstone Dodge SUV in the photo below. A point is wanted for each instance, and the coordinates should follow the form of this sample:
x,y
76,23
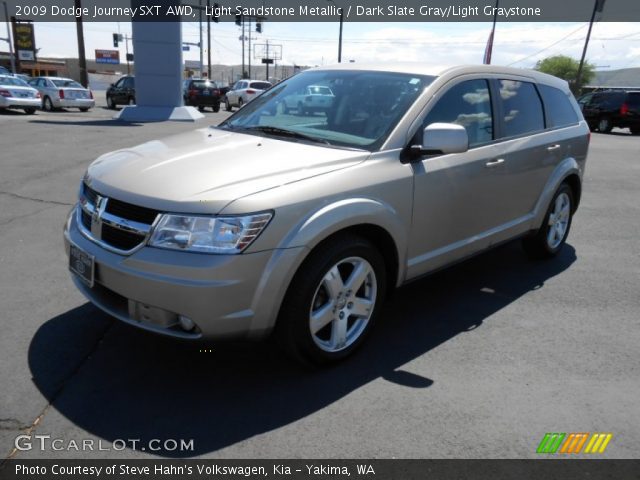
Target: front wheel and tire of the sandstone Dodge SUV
x,y
318,323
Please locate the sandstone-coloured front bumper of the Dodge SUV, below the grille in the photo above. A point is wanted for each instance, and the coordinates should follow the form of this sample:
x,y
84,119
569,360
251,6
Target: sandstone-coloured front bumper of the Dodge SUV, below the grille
x,y
226,296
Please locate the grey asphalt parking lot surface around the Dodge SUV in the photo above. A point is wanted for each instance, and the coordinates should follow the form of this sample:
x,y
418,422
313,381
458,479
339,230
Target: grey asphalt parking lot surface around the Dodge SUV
x,y
478,361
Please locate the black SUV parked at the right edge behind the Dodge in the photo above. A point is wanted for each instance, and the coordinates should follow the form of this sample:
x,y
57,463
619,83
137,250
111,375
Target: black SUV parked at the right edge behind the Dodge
x,y
612,108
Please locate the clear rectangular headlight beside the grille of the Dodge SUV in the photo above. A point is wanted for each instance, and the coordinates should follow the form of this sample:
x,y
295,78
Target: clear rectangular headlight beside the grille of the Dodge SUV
x,y
208,234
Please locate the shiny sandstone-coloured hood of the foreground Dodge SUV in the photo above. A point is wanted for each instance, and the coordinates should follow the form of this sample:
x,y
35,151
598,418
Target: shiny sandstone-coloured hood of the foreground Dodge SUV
x,y
204,170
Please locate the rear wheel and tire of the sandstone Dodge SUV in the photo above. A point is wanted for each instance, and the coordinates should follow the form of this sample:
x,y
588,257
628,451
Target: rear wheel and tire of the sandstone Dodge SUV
x,y
552,235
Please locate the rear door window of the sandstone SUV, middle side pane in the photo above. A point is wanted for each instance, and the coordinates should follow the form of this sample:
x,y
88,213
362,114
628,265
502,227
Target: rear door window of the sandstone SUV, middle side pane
x,y
522,108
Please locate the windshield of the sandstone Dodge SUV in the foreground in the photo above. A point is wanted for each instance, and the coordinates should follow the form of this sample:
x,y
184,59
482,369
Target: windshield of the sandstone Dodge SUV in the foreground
x,y
355,109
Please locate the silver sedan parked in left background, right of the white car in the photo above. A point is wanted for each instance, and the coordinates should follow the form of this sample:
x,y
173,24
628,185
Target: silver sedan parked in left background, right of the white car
x,y
58,92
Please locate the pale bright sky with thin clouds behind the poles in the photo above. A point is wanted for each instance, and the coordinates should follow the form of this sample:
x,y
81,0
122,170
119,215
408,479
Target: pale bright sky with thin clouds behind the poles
x,y
612,45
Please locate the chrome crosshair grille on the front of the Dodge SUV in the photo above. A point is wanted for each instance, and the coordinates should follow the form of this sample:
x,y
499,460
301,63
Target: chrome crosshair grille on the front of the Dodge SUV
x,y
115,225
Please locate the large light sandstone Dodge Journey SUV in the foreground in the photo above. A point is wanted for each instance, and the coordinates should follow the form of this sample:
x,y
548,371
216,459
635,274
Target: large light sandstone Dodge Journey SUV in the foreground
x,y
272,222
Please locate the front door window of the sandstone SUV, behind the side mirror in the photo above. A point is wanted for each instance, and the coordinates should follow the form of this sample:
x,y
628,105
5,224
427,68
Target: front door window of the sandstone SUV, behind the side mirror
x,y
468,104
